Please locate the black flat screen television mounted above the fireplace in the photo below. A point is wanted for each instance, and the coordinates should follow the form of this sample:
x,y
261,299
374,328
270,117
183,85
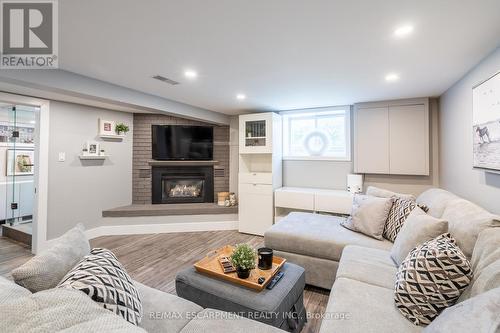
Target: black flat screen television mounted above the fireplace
x,y
178,142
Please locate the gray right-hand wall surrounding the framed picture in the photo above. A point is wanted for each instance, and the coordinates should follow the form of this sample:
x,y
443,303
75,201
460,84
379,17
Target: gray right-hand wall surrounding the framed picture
x,y
457,174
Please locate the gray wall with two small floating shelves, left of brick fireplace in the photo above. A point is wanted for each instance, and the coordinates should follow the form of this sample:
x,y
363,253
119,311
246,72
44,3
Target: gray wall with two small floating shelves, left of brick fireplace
x,y
80,190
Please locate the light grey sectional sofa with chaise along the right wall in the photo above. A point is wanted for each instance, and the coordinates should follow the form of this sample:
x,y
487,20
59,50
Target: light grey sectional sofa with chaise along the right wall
x,y
361,274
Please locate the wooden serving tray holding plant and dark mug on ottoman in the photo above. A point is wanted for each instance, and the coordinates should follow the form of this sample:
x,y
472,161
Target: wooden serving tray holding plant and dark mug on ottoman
x,y
210,265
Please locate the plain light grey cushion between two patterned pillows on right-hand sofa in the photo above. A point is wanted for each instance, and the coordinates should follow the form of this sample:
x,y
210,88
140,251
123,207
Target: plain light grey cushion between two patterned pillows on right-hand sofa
x,y
418,228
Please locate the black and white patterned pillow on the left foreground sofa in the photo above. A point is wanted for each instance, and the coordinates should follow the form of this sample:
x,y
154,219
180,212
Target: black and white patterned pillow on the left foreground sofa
x,y
101,276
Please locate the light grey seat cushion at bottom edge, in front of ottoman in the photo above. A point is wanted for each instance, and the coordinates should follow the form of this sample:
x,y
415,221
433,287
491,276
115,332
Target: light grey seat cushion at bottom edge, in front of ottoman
x,y
210,320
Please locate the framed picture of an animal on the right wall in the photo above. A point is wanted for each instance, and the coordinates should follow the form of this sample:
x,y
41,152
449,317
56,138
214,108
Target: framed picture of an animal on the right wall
x,y
486,124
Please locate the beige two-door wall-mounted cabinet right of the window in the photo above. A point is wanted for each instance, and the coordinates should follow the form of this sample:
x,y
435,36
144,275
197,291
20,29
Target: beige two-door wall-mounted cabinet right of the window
x,y
392,137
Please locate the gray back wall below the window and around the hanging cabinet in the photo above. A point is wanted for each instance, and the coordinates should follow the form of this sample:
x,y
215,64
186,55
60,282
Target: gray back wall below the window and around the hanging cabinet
x,y
333,175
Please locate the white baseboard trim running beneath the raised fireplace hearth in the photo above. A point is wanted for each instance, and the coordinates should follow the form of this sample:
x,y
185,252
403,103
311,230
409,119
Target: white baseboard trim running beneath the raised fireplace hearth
x,y
142,229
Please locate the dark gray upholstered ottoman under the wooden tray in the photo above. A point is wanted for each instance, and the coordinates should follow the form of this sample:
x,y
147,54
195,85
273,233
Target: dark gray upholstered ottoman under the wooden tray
x,y
282,306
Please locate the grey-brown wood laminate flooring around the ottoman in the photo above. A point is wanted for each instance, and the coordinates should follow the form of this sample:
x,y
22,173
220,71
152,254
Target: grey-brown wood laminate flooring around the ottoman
x,y
155,260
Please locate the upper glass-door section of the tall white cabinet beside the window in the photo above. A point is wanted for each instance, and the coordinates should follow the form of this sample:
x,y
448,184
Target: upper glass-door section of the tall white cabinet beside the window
x,y
258,132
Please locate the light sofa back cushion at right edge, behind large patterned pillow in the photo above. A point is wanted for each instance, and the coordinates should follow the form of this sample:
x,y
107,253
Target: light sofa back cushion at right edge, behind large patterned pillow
x,y
485,264
